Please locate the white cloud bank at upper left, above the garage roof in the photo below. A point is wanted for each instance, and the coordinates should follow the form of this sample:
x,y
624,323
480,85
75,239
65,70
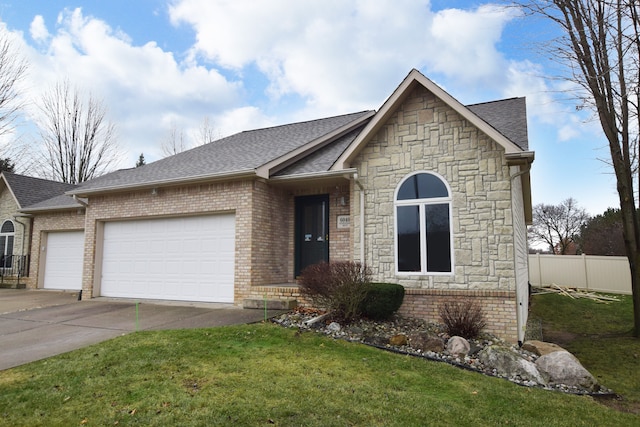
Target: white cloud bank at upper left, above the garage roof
x,y
139,84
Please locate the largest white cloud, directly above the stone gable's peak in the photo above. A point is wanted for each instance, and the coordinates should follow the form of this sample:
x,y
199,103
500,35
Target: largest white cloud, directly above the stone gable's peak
x,y
332,56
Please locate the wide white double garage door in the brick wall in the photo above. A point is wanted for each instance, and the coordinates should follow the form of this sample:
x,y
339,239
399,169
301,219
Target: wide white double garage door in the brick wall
x,y
187,259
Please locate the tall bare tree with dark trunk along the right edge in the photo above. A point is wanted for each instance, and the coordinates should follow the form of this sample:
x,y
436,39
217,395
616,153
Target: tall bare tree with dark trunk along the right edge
x,y
600,45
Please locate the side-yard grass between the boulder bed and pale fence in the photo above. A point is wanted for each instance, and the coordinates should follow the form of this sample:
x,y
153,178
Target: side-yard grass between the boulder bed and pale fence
x,y
600,336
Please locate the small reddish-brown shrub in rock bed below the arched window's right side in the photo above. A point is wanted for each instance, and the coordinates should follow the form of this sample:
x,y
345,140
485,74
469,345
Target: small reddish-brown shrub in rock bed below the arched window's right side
x,y
462,318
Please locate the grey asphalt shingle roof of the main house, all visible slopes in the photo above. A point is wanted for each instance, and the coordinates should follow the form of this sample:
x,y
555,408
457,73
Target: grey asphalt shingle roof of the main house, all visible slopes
x,y
249,150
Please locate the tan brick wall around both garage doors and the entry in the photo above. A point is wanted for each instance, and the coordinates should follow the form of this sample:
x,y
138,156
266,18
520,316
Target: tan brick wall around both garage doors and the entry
x,y
264,215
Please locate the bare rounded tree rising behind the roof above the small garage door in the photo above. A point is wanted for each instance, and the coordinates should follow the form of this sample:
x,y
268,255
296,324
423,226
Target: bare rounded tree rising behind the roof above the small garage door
x,y
78,139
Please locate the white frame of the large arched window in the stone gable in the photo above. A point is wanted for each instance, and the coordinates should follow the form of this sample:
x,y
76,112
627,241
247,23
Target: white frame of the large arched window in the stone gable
x,y
421,203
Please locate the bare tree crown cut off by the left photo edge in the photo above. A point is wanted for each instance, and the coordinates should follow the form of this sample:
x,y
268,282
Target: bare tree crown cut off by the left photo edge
x,y
13,68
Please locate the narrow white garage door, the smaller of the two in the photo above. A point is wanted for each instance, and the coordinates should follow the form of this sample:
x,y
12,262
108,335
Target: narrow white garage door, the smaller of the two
x,y
63,260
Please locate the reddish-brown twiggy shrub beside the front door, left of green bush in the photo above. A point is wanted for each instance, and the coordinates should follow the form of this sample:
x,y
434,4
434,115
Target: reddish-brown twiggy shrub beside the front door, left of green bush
x,y
339,287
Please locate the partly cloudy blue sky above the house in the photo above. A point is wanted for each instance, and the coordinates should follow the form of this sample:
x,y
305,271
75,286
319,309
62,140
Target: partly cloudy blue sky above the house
x,y
159,65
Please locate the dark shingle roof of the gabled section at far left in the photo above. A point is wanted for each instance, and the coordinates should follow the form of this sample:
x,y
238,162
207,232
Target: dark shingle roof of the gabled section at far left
x,y
29,190
